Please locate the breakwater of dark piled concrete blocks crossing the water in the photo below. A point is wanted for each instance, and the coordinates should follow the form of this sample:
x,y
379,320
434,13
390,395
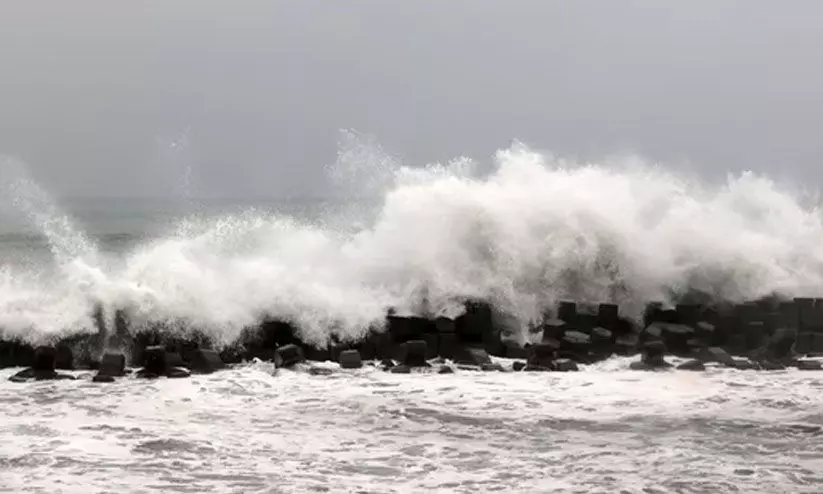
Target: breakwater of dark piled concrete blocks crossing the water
x,y
768,334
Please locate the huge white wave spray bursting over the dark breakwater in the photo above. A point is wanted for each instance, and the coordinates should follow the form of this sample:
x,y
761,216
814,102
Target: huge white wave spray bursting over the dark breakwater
x,y
532,231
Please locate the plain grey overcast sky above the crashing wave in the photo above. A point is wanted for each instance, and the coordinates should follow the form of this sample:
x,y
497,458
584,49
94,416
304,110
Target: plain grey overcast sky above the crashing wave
x,y
91,90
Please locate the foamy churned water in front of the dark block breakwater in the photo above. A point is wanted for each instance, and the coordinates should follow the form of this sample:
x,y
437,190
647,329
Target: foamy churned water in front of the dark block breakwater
x,y
601,430
